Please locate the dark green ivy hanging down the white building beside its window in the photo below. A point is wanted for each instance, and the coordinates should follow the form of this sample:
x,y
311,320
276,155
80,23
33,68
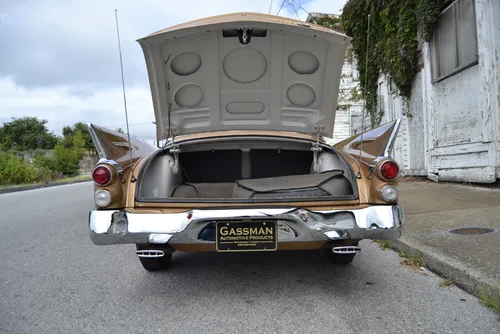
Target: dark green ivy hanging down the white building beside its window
x,y
392,48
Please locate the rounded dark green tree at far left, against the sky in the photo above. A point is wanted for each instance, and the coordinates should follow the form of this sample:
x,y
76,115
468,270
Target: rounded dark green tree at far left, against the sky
x,y
26,133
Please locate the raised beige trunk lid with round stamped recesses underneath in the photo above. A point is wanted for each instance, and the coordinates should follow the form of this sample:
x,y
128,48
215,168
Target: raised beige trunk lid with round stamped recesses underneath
x,y
244,71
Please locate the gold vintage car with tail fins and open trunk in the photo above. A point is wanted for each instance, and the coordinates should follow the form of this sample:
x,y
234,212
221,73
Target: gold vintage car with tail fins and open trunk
x,y
243,103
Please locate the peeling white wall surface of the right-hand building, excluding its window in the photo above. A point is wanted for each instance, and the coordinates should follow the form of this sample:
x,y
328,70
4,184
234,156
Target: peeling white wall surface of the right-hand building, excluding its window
x,y
454,134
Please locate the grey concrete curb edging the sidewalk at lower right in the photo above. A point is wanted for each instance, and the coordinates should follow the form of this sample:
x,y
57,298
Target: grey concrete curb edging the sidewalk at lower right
x,y
461,274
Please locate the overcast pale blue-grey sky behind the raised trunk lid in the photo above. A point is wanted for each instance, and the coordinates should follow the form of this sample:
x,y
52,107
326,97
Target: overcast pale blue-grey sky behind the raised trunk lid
x,y
59,59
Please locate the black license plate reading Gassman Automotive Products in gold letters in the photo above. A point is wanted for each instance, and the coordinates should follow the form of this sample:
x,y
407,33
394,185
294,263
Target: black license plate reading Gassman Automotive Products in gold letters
x,y
246,236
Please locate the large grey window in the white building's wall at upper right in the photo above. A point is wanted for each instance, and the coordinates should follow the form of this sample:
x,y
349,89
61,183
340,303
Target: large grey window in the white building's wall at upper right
x,y
455,40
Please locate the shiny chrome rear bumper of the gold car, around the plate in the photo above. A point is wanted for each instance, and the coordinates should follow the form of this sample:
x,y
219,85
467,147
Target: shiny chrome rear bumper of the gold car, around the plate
x,y
381,222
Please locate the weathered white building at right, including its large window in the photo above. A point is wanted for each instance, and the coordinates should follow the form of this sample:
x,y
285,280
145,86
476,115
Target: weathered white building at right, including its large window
x,y
454,131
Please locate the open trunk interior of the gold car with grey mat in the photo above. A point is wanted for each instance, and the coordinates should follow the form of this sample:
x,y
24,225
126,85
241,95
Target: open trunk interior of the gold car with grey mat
x,y
235,170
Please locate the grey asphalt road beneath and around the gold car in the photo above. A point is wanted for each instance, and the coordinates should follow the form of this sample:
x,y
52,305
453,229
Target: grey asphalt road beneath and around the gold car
x,y
54,280
